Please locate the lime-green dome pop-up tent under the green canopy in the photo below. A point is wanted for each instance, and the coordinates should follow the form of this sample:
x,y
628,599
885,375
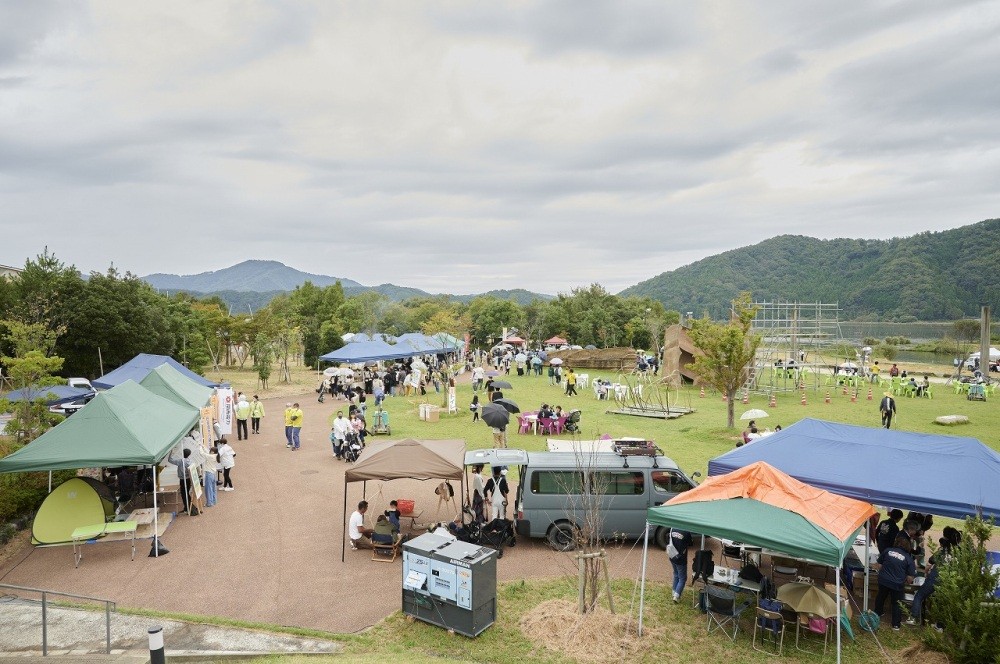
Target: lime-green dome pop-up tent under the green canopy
x,y
72,504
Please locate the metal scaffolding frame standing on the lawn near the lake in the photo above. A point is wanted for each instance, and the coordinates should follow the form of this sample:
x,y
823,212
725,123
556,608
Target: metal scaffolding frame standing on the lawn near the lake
x,y
797,340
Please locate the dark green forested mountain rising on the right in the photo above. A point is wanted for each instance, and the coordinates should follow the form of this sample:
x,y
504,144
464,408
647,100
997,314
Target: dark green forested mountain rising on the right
x,y
929,276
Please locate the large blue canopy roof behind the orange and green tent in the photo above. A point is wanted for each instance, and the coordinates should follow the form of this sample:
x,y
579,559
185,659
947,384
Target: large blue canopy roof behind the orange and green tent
x,y
933,474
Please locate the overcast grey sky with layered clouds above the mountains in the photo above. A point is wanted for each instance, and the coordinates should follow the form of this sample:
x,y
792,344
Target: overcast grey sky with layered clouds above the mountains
x,y
465,146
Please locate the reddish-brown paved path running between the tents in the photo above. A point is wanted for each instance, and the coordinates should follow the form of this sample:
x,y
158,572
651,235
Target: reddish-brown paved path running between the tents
x,y
270,550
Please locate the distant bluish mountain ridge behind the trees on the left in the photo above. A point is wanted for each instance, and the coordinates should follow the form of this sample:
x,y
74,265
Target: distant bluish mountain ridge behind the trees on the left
x,y
251,284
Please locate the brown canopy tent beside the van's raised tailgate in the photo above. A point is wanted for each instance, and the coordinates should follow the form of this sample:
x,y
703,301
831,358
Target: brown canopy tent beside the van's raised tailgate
x,y
405,459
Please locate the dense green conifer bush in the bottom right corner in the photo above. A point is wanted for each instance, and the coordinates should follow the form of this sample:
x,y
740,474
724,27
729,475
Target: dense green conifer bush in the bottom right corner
x,y
964,602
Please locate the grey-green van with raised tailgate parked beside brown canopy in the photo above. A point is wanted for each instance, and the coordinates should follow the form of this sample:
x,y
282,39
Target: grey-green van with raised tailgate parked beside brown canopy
x,y
554,490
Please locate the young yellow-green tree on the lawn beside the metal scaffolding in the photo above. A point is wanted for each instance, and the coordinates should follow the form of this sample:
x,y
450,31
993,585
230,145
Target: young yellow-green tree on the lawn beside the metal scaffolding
x,y
728,351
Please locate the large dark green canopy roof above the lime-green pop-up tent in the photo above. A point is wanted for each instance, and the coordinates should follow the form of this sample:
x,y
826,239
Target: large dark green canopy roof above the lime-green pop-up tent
x,y
125,426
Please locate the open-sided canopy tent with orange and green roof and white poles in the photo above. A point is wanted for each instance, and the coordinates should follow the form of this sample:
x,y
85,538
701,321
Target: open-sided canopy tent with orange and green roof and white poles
x,y
761,506
